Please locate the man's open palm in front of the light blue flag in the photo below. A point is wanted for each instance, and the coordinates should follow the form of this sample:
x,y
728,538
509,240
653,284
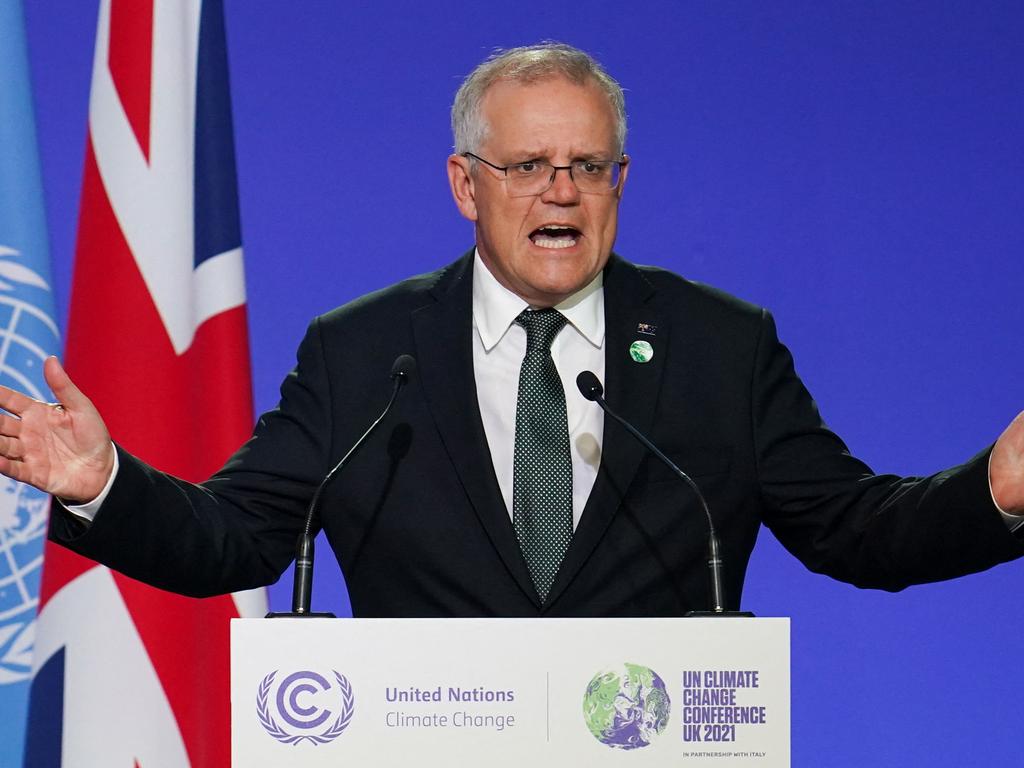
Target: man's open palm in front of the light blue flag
x,y
62,449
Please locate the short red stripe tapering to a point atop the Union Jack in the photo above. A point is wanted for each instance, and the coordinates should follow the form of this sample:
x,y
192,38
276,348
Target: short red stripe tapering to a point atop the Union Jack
x,y
131,62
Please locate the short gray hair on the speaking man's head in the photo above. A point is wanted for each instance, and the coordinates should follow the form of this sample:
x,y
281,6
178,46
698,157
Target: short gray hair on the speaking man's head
x,y
529,65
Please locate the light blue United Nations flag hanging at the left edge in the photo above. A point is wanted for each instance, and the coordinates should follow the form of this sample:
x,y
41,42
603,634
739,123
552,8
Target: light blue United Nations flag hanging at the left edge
x,y
28,335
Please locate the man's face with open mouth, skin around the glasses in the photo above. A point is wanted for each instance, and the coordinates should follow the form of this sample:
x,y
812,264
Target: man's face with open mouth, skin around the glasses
x,y
560,122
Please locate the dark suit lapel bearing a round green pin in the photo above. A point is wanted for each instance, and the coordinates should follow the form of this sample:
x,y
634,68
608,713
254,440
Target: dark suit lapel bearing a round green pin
x,y
631,391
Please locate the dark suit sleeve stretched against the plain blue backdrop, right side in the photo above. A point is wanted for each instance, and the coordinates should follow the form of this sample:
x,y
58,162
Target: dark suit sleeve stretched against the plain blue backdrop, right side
x,y
840,519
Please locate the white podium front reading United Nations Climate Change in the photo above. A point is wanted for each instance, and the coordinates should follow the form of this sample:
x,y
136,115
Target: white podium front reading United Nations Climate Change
x,y
510,693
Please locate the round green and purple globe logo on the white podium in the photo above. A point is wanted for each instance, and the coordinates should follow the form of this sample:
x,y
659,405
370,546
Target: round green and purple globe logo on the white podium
x,y
625,709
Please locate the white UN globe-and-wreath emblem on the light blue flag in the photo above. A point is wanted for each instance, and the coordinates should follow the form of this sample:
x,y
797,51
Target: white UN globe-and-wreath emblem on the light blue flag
x,y
28,335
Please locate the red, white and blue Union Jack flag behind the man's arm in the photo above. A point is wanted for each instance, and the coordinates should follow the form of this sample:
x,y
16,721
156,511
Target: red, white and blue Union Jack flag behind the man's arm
x,y
129,675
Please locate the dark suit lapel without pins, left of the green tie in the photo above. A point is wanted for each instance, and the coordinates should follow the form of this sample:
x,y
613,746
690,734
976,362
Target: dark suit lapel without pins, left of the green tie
x,y
445,345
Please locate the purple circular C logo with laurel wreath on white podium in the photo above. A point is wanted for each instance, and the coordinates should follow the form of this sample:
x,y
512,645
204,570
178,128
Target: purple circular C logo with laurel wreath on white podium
x,y
306,707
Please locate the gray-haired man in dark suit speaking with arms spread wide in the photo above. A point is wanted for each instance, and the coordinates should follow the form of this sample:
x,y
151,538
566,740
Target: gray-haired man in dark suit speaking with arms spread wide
x,y
495,489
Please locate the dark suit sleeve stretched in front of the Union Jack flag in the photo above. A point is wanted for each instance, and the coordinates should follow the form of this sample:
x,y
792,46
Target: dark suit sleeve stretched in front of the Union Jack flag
x,y
238,530
